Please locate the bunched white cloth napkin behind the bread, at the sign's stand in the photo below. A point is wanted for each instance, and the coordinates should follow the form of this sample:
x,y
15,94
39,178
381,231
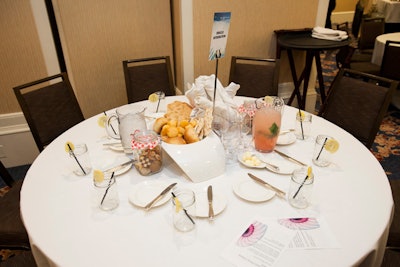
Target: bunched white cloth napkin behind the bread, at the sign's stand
x,y
201,94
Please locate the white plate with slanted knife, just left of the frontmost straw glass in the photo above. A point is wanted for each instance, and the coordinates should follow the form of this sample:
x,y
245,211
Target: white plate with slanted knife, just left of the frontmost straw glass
x,y
144,192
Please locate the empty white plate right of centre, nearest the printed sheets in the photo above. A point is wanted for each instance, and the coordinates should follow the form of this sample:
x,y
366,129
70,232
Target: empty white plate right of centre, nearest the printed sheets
x,y
251,191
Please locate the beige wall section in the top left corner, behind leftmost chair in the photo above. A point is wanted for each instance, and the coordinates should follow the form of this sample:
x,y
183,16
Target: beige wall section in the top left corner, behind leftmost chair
x,y
21,58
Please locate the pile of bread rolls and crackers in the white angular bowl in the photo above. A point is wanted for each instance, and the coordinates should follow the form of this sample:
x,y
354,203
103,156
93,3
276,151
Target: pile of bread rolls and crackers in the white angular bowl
x,y
182,124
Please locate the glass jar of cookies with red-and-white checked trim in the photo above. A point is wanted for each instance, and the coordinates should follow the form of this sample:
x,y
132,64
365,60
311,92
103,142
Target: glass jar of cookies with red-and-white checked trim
x,y
146,146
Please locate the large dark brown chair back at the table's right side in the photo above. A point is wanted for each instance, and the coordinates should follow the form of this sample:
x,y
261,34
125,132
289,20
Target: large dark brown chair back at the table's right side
x,y
357,102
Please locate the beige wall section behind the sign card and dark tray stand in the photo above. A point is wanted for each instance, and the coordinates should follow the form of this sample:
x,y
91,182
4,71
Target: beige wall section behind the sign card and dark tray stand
x,y
250,32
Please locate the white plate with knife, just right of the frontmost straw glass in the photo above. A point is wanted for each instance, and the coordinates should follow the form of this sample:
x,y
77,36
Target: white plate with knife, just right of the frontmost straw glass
x,y
219,204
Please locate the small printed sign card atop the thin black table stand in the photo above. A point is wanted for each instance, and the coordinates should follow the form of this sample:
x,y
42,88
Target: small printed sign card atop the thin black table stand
x,y
219,35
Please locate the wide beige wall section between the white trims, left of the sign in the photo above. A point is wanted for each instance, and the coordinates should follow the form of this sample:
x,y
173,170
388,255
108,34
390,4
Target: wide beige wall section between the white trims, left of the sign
x,y
98,35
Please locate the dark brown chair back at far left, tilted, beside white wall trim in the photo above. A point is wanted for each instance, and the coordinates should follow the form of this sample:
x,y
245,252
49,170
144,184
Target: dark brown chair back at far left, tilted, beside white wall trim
x,y
50,107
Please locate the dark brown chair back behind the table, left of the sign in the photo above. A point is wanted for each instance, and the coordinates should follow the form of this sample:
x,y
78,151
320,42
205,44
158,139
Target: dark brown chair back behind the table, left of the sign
x,y
145,76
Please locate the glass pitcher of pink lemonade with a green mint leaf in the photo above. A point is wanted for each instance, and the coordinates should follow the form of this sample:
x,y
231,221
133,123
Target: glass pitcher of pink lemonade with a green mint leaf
x,y
267,123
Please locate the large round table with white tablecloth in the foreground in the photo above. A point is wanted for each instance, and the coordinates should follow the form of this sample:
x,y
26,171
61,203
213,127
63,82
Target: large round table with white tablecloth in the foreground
x,y
65,228
